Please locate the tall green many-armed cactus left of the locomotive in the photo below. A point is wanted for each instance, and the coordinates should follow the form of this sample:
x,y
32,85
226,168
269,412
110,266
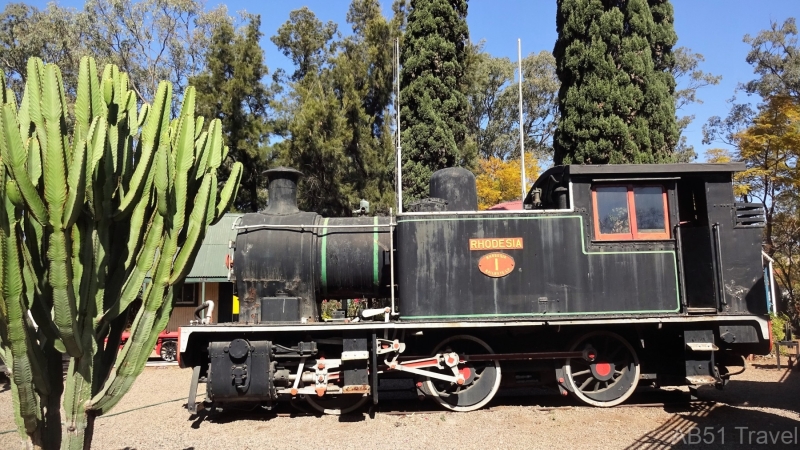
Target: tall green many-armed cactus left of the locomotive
x,y
85,216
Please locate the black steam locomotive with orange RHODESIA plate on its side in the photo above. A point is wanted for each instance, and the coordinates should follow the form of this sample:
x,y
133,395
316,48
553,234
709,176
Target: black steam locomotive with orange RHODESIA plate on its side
x,y
609,275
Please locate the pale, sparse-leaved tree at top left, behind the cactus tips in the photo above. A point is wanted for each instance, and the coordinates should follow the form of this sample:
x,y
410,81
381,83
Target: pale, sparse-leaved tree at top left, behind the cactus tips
x,y
151,40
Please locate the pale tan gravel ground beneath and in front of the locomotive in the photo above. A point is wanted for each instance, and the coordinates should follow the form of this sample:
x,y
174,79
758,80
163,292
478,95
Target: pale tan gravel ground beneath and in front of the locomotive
x,y
763,399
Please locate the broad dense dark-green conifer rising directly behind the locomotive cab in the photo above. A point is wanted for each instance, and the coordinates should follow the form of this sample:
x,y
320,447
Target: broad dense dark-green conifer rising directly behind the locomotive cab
x,y
614,60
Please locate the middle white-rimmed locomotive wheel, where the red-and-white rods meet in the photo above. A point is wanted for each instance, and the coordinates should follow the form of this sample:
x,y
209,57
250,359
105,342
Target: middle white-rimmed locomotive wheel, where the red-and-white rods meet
x,y
482,378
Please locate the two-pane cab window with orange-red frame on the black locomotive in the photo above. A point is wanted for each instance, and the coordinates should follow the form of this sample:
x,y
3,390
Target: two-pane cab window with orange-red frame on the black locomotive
x,y
627,212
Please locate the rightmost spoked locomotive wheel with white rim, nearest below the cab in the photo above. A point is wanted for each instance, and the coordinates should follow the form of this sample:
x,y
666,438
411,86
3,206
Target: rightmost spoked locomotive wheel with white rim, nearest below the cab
x,y
613,375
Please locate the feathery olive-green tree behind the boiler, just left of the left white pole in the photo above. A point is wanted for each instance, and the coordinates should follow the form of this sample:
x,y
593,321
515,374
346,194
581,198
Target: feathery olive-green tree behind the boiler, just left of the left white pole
x,y
337,127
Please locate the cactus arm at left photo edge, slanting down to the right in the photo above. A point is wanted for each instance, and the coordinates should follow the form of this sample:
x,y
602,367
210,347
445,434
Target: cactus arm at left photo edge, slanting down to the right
x,y
11,152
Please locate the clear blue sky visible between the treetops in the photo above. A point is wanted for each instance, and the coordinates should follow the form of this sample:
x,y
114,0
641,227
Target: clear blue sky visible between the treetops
x,y
714,28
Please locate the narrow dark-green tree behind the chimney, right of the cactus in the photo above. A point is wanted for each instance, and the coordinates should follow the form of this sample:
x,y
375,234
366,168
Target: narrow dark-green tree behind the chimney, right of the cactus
x,y
232,89
